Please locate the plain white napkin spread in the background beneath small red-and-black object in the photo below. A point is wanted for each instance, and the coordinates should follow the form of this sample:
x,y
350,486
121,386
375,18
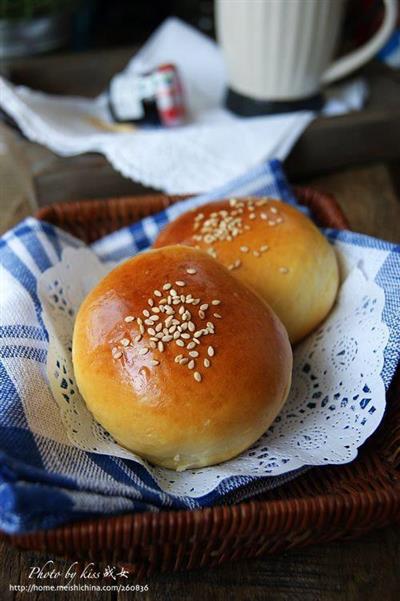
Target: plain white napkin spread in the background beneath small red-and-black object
x,y
213,148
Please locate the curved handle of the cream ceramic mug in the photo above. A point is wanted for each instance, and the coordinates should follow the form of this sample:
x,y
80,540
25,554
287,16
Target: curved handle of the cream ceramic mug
x,y
348,63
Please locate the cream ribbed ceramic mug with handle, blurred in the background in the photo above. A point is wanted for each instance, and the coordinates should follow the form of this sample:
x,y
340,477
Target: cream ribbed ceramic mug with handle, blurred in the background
x,y
281,50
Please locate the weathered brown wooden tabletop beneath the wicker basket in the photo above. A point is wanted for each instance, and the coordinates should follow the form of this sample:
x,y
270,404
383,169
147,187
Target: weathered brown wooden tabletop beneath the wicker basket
x,y
367,569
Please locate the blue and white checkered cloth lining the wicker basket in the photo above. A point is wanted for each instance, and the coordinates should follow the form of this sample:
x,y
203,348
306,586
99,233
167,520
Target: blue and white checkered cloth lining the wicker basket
x,y
45,482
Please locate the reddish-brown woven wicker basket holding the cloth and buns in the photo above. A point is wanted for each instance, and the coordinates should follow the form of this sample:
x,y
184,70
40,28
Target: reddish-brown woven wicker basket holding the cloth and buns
x,y
324,504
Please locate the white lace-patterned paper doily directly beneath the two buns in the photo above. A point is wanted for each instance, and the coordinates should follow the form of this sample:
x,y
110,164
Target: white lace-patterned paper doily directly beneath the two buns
x,y
336,401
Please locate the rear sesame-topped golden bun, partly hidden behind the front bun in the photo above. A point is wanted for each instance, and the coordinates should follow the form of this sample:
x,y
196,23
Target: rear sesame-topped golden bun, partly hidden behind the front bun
x,y
282,256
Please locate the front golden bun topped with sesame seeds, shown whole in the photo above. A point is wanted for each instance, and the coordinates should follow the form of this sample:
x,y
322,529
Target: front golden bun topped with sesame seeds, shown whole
x,y
189,395
